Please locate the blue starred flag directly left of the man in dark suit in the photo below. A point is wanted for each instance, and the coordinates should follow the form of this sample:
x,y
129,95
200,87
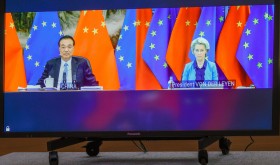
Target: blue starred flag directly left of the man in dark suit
x,y
42,44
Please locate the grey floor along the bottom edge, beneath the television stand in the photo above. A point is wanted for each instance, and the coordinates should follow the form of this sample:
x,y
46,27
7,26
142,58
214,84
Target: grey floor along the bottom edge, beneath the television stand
x,y
148,158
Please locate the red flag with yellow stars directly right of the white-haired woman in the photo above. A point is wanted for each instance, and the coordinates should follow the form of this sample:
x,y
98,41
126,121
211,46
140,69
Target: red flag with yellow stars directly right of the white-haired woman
x,y
228,44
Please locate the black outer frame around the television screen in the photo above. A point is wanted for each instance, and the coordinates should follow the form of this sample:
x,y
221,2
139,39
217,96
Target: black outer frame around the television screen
x,y
106,4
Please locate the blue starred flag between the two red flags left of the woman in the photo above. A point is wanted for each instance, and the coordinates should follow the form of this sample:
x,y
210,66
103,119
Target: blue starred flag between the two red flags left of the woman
x,y
156,43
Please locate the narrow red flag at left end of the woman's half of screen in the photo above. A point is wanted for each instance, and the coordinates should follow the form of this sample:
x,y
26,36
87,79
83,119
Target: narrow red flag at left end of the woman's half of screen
x,y
145,79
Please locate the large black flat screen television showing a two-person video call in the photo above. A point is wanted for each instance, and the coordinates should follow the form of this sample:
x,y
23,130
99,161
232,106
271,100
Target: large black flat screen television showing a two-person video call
x,y
148,71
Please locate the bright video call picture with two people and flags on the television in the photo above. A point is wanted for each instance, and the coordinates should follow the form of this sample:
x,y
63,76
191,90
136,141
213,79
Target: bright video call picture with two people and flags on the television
x,y
143,49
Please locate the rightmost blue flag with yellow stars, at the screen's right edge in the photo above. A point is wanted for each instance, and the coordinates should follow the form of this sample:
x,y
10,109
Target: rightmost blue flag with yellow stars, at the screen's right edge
x,y
255,51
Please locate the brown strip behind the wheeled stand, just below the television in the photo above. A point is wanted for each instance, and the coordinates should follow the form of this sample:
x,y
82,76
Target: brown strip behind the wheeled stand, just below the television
x,y
263,143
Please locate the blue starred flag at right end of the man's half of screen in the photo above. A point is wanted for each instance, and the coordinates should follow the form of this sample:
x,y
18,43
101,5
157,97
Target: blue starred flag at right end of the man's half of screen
x,y
126,51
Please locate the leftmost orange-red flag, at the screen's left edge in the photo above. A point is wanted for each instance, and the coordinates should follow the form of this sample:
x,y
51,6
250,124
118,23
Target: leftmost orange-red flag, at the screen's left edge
x,y
14,64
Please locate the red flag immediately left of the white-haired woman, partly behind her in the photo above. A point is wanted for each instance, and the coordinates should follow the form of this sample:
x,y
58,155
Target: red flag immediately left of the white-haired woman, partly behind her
x,y
181,38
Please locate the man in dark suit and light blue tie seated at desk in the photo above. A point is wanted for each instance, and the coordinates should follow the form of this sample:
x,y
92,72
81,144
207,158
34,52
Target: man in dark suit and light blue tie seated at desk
x,y
67,67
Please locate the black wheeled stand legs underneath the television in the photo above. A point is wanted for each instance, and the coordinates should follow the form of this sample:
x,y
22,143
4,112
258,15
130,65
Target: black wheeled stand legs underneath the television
x,y
92,147
